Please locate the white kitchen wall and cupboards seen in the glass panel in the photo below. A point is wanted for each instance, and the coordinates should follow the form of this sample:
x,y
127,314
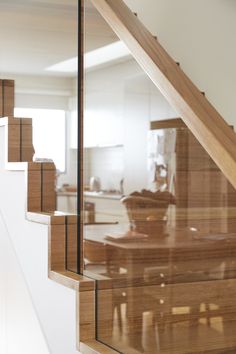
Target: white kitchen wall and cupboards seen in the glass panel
x,y
123,101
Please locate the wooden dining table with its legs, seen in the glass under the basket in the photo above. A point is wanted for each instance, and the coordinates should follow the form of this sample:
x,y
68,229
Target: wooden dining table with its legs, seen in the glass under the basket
x,y
183,260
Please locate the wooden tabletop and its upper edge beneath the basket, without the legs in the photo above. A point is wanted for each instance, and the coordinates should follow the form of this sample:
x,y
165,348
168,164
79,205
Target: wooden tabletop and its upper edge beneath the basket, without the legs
x,y
191,251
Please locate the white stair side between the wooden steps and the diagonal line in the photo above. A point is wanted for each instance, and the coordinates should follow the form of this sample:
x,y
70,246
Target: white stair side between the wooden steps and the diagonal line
x,y
54,305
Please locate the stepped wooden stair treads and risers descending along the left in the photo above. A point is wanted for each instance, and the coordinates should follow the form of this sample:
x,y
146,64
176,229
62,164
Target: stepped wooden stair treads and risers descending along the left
x,y
40,206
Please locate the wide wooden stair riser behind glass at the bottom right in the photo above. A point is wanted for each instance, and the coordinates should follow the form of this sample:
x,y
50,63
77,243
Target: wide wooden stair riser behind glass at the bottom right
x,y
188,318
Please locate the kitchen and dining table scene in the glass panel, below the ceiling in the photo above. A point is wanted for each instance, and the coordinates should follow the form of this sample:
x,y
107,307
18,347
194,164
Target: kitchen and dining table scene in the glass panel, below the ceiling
x,y
160,231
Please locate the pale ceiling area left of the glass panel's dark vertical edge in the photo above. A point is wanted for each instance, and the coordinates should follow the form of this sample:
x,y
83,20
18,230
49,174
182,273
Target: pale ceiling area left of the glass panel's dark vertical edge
x,y
35,34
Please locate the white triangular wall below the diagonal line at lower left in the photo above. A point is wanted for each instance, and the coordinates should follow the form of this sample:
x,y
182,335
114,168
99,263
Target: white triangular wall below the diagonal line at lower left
x,y
20,331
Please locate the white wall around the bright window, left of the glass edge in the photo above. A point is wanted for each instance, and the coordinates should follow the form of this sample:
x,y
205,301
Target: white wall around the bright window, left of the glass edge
x,y
48,92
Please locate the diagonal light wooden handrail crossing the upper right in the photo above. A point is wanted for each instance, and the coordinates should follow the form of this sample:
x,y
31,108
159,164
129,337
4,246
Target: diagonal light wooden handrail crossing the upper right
x,y
200,116
